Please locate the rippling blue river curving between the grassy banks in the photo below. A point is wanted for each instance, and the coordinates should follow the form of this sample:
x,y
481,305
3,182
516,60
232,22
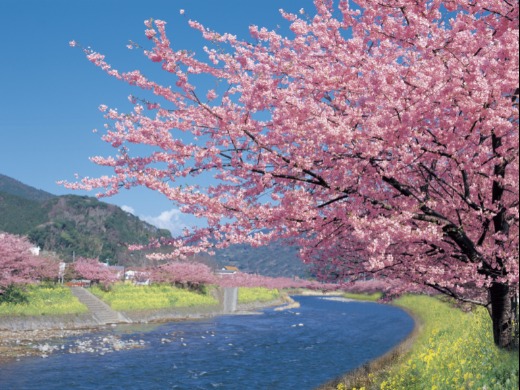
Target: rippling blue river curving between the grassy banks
x,y
292,349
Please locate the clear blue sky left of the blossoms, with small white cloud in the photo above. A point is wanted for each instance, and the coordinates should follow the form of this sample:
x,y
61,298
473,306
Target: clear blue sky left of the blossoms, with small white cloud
x,y
50,93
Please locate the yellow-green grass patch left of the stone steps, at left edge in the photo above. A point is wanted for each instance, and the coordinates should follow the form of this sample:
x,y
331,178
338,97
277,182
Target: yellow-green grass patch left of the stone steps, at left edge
x,y
45,300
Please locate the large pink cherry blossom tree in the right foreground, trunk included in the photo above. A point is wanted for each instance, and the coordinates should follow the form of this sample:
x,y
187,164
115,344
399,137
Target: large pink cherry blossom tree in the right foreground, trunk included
x,y
380,137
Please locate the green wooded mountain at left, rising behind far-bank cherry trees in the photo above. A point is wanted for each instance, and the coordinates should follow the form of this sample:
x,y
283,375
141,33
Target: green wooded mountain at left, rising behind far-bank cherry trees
x,y
73,225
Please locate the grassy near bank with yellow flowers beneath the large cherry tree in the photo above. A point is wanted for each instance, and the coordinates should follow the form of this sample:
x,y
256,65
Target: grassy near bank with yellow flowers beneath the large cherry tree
x,y
452,349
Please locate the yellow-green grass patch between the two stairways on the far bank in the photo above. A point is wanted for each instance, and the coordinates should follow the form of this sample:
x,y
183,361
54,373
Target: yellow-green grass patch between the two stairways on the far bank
x,y
127,297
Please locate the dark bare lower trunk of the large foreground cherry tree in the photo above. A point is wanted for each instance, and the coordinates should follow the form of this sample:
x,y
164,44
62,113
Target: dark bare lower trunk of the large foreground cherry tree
x,y
501,315
